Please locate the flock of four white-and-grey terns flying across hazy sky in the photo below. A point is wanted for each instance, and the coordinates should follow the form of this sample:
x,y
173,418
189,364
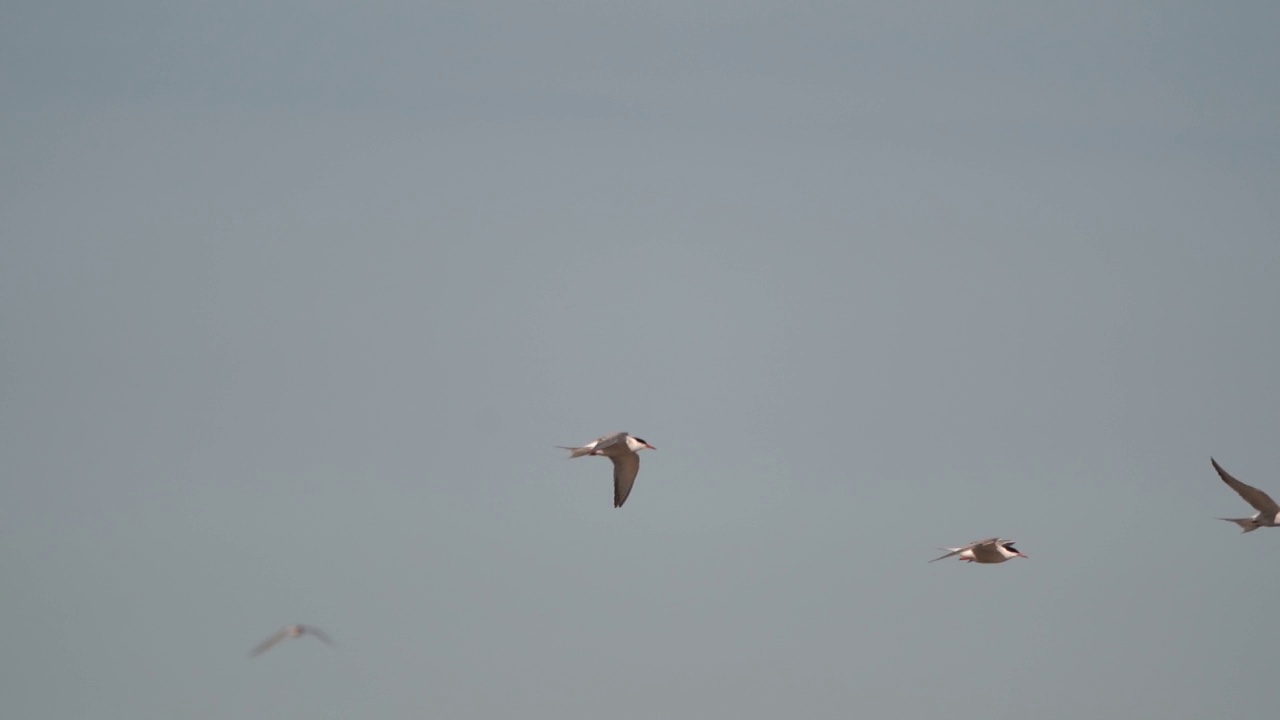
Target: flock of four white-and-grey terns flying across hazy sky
x,y
624,450
